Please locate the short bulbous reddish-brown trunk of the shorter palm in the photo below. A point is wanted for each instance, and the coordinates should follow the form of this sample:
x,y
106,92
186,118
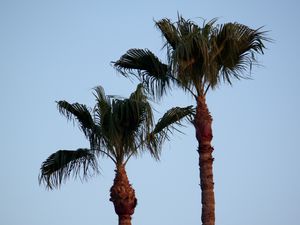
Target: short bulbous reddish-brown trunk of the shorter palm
x,y
123,196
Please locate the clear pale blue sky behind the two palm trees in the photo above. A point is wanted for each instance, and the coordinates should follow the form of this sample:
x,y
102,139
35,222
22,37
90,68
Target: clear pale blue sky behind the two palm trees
x,y
60,50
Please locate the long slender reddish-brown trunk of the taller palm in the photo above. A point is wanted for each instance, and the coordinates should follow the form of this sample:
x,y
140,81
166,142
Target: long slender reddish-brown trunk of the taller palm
x,y
203,126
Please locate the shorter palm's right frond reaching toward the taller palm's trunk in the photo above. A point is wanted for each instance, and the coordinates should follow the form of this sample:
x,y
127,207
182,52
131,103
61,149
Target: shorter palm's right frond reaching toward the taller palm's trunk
x,y
165,126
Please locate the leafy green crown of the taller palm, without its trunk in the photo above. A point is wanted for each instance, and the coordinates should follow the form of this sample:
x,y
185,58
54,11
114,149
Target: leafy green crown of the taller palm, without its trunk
x,y
199,58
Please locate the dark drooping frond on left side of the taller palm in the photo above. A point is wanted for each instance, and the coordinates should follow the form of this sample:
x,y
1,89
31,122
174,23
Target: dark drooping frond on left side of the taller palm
x,y
145,66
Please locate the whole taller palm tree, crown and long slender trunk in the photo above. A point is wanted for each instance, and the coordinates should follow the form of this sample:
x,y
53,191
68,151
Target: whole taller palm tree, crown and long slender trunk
x,y
199,59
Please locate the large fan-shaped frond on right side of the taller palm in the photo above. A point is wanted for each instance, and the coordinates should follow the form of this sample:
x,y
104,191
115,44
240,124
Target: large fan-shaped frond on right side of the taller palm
x,y
237,48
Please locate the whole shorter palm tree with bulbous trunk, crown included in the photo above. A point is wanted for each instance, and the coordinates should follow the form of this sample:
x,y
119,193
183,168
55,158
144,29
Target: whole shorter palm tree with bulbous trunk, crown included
x,y
118,129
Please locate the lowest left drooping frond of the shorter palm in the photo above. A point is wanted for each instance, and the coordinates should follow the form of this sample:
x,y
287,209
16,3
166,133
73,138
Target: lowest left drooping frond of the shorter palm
x,y
63,164
